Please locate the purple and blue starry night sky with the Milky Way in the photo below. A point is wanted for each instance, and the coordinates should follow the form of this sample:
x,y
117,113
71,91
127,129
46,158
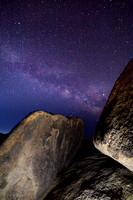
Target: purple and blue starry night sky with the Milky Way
x,y
61,56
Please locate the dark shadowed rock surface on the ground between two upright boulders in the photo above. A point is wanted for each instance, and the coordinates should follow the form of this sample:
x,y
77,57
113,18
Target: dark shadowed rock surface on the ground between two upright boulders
x,y
93,176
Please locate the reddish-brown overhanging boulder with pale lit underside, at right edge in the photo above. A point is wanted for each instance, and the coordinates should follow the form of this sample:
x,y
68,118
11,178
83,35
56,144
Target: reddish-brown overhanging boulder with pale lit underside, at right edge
x,y
114,133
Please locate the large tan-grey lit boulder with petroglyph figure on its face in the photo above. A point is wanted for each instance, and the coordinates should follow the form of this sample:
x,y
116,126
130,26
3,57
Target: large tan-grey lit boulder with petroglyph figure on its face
x,y
36,149
